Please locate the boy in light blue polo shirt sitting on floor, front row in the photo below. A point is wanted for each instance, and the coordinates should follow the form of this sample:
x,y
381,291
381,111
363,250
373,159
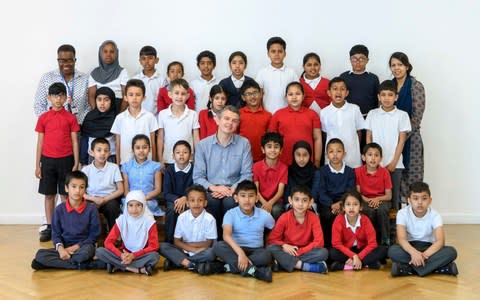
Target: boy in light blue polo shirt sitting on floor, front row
x,y
243,235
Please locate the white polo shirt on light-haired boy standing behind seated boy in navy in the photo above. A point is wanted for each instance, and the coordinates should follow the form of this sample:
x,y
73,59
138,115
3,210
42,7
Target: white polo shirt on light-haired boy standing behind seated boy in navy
x,y
176,129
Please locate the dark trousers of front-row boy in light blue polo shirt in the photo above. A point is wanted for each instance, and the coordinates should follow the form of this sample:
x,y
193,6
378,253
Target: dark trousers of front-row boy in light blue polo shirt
x,y
260,257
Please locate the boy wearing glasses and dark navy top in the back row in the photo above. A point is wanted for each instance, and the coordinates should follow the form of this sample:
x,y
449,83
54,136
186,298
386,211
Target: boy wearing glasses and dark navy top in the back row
x,y
362,85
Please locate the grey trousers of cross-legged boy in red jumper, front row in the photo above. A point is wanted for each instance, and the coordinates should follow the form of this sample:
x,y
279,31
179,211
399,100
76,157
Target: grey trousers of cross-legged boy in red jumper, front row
x,y
287,261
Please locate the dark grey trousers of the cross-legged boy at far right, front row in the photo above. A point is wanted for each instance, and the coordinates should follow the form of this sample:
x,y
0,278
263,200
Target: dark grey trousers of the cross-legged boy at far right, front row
x,y
441,258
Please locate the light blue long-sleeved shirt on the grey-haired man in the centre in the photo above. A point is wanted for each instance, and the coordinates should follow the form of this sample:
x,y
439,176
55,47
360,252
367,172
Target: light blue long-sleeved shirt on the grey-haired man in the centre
x,y
222,165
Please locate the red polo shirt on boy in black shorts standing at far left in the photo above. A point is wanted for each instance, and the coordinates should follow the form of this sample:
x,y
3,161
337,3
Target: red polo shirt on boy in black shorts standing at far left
x,y
57,127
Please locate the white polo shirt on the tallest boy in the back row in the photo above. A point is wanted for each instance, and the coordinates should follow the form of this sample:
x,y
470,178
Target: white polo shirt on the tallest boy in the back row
x,y
273,81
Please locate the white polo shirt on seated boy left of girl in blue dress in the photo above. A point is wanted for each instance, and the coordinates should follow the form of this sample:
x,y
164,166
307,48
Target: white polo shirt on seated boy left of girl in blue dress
x,y
102,182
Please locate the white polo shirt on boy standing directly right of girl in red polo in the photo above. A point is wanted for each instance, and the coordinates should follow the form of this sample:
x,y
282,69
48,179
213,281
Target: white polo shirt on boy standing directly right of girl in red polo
x,y
343,123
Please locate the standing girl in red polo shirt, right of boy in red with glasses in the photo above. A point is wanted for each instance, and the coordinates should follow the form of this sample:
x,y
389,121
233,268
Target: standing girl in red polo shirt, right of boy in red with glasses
x,y
296,122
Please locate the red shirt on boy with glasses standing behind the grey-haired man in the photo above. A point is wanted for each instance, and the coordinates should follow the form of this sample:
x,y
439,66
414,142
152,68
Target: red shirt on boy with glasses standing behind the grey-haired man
x,y
253,125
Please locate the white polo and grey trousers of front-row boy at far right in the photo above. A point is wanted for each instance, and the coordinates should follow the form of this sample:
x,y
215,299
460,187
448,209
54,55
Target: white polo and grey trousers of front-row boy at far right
x,y
420,234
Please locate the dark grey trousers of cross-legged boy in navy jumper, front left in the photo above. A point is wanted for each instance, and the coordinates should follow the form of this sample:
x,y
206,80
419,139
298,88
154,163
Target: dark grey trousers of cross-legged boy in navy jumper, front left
x,y
51,259
